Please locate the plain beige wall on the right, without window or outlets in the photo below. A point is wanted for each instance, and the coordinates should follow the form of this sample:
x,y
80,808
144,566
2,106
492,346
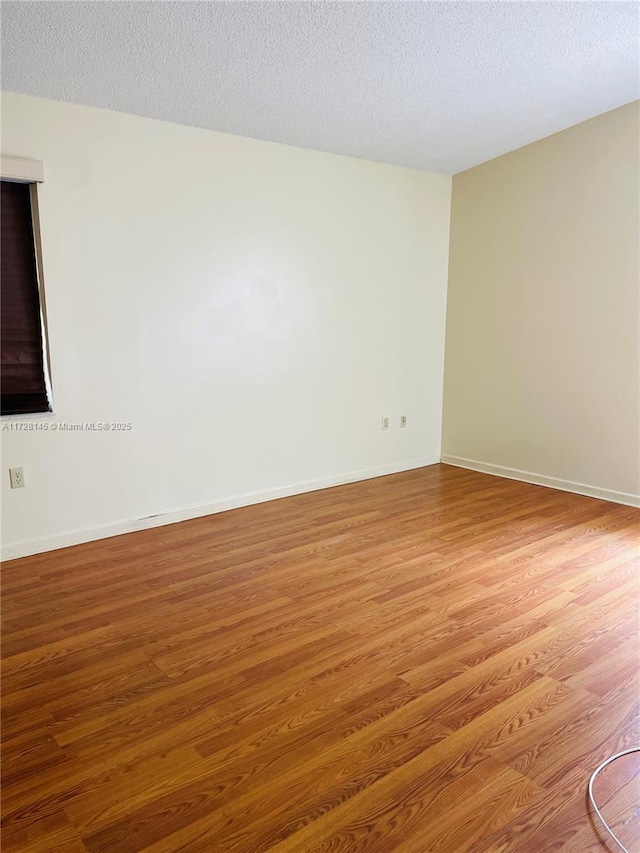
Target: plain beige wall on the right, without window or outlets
x,y
541,367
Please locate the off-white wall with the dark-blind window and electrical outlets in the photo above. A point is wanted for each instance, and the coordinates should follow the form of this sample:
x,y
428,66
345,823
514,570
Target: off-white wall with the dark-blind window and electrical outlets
x,y
252,309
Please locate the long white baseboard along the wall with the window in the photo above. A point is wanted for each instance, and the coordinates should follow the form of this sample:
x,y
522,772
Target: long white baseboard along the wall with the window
x,y
103,531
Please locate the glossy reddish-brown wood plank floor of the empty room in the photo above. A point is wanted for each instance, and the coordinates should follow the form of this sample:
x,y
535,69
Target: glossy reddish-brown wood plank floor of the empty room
x,y
431,661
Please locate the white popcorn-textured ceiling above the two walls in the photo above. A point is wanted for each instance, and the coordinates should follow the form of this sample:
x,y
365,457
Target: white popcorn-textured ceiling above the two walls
x,y
434,85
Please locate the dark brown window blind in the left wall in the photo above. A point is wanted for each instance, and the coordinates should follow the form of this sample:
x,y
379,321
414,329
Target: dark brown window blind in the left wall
x,y
22,379
